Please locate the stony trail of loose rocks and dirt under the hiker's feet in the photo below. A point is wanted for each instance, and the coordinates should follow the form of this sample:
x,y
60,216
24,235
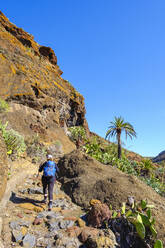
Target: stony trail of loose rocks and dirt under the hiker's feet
x,y
26,222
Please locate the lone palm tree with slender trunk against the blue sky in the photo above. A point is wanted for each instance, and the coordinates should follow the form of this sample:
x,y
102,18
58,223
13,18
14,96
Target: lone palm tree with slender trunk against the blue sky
x,y
115,129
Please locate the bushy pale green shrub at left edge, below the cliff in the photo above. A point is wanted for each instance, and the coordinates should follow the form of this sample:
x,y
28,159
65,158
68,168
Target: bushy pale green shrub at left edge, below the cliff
x,y
14,141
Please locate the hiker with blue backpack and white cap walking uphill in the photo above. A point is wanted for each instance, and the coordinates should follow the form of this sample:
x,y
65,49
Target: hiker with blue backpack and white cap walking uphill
x,y
49,169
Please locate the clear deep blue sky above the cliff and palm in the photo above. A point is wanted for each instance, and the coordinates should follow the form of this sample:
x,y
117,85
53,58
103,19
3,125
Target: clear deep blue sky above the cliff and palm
x,y
113,53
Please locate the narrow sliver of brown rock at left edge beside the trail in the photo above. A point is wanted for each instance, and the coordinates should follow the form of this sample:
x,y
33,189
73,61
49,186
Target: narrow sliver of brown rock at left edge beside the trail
x,y
3,167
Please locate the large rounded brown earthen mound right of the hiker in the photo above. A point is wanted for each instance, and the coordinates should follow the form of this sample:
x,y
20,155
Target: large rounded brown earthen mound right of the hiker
x,y
83,178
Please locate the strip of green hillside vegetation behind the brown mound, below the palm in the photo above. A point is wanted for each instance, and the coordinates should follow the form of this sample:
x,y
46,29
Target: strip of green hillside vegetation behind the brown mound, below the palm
x,y
130,163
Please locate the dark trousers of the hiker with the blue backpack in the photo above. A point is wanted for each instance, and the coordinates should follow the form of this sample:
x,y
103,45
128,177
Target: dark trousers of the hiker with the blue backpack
x,y
48,184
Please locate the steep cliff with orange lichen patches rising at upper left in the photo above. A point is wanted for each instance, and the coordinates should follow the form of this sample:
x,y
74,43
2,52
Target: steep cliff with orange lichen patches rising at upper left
x,y
41,101
